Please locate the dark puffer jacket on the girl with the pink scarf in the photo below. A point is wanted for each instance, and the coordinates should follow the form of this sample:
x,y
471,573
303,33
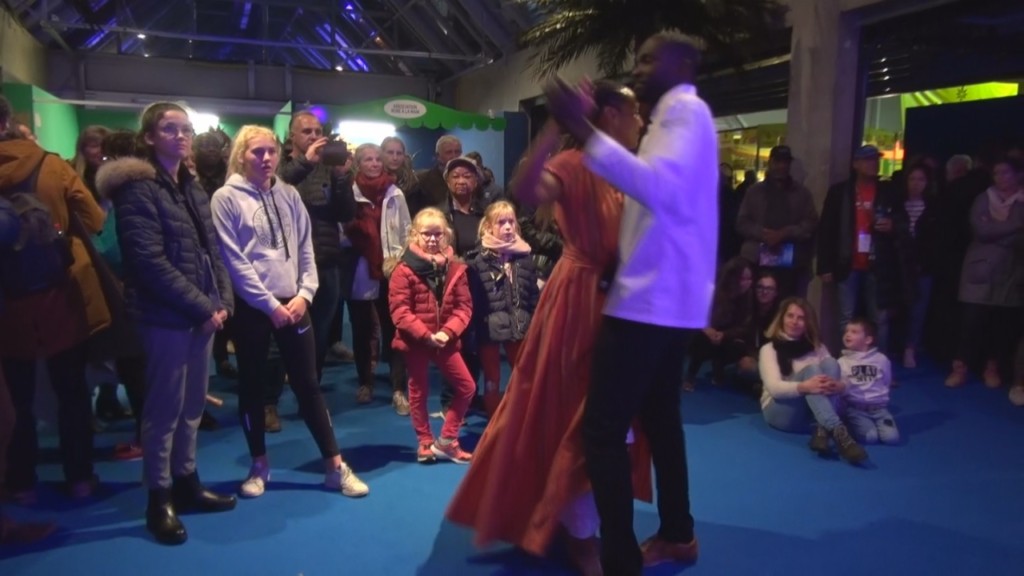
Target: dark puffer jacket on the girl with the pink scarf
x,y
502,306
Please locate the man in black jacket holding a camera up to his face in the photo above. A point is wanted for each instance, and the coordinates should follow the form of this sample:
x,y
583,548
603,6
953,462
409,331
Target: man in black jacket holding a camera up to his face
x,y
327,194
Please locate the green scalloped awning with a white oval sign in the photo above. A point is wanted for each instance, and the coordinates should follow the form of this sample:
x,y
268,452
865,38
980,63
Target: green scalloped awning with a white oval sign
x,y
415,113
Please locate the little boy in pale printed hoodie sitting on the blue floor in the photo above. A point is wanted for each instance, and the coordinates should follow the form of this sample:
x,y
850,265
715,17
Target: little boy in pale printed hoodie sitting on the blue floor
x,y
868,377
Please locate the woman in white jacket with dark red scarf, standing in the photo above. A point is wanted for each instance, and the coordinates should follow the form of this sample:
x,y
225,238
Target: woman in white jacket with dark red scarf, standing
x,y
378,234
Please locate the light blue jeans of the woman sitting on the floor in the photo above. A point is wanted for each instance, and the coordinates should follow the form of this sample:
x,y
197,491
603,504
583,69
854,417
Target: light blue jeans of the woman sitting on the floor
x,y
797,415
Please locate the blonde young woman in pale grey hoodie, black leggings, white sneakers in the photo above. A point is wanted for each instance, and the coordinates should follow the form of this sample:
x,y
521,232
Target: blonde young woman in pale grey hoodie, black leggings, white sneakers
x,y
266,241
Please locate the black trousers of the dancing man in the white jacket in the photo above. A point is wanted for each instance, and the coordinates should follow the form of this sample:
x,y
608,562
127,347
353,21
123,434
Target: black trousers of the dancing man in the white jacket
x,y
636,373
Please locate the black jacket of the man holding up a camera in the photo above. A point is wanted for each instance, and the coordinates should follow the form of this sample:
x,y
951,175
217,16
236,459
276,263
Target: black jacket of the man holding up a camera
x,y
329,201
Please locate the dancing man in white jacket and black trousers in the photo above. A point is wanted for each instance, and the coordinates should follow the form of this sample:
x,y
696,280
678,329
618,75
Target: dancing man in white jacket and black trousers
x,y
663,293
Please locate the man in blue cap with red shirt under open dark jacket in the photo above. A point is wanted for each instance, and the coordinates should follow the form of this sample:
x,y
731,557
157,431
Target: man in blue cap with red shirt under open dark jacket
x,y
860,245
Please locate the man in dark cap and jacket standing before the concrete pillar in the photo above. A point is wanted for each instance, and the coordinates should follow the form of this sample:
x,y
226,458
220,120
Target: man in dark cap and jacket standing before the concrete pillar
x,y
778,221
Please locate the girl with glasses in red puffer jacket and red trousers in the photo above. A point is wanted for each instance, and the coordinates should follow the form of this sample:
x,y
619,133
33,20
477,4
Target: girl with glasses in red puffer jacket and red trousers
x,y
432,308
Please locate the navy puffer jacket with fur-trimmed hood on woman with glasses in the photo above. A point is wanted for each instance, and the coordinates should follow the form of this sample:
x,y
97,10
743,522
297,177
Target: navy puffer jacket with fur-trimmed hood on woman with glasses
x,y
174,273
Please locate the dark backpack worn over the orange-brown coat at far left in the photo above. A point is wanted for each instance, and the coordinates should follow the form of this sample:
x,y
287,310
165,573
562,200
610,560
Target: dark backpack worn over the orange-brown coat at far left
x,y
41,258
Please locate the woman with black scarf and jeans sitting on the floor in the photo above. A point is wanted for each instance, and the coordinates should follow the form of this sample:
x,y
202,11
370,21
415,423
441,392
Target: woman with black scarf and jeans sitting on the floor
x,y
802,381
